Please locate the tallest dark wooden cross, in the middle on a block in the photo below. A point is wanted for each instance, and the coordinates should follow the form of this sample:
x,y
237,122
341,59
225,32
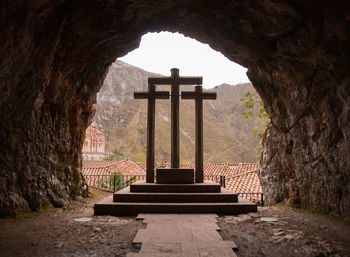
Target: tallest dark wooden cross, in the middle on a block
x,y
175,81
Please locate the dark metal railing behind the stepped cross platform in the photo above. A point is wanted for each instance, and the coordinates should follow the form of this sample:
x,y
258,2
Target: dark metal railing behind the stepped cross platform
x,y
116,182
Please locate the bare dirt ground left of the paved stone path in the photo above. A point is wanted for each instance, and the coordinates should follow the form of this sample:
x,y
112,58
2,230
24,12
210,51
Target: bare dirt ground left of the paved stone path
x,y
56,233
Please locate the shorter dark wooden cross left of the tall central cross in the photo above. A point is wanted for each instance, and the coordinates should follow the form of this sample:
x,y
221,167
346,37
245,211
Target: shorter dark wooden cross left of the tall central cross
x,y
151,95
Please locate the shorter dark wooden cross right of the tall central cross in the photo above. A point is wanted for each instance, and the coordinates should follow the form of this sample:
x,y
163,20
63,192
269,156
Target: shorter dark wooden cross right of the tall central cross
x,y
199,96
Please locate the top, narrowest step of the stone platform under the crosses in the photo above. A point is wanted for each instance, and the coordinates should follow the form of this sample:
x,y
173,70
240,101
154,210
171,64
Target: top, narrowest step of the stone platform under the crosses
x,y
206,187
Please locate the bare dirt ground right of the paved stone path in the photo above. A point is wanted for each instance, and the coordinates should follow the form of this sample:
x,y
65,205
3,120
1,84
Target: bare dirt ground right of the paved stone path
x,y
296,233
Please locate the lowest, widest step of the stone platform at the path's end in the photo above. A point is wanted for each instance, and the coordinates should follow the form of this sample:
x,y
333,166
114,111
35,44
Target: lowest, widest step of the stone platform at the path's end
x,y
108,207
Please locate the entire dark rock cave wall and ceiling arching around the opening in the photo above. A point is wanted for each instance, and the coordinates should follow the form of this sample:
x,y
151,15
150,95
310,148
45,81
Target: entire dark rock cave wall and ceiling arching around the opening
x,y
55,54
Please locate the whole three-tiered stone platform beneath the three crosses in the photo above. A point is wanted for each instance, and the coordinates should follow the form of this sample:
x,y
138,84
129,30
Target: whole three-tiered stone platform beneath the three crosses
x,y
142,197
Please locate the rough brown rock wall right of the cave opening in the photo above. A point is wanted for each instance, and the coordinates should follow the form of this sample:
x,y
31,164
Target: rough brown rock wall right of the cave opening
x,y
306,90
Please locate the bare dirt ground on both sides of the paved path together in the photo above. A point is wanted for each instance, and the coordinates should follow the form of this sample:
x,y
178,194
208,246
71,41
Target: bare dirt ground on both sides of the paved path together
x,y
55,232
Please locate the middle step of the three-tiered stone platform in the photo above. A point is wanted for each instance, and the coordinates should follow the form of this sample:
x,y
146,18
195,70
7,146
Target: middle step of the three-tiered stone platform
x,y
125,195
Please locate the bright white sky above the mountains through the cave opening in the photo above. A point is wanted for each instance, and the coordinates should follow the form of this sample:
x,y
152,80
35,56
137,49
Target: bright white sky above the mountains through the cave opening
x,y
159,52
